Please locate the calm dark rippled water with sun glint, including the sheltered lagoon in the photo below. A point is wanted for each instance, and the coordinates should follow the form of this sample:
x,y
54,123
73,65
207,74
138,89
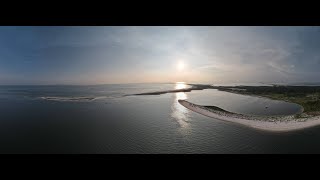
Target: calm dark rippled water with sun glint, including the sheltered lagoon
x,y
138,124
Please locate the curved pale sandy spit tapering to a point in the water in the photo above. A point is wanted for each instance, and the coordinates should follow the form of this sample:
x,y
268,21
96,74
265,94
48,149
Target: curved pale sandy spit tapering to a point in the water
x,y
265,123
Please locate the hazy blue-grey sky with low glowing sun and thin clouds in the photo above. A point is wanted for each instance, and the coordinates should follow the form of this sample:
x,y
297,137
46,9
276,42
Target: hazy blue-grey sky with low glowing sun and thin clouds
x,y
112,55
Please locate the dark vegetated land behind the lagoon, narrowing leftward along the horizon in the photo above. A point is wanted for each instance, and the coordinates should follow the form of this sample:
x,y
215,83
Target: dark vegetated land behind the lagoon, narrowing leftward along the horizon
x,y
306,96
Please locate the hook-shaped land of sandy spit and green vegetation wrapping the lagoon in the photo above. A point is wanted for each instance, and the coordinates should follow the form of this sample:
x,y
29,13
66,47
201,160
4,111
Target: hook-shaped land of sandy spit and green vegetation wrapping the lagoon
x,y
308,97
